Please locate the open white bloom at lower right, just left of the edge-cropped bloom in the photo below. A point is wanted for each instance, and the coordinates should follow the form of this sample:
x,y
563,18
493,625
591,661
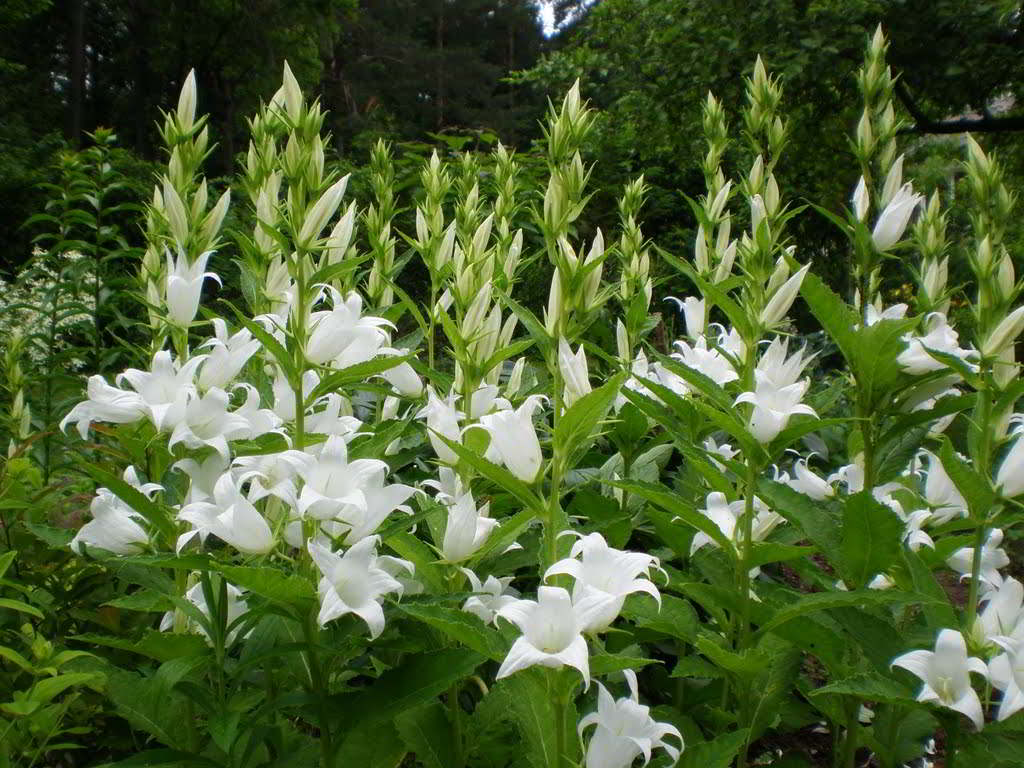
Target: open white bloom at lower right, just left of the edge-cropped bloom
x,y
946,673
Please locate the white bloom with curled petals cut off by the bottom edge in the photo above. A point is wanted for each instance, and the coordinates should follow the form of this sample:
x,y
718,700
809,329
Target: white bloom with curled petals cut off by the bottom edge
x,y
625,731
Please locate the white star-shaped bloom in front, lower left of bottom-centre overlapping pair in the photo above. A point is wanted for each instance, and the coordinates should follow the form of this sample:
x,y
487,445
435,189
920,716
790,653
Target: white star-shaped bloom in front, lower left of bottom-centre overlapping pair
x,y
552,628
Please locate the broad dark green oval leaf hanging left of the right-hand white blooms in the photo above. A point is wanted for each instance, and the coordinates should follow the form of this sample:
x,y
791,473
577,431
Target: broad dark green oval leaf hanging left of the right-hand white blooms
x,y
872,536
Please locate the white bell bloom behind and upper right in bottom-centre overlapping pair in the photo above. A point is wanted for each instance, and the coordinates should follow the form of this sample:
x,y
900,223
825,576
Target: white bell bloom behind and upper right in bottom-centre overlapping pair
x,y
607,577
